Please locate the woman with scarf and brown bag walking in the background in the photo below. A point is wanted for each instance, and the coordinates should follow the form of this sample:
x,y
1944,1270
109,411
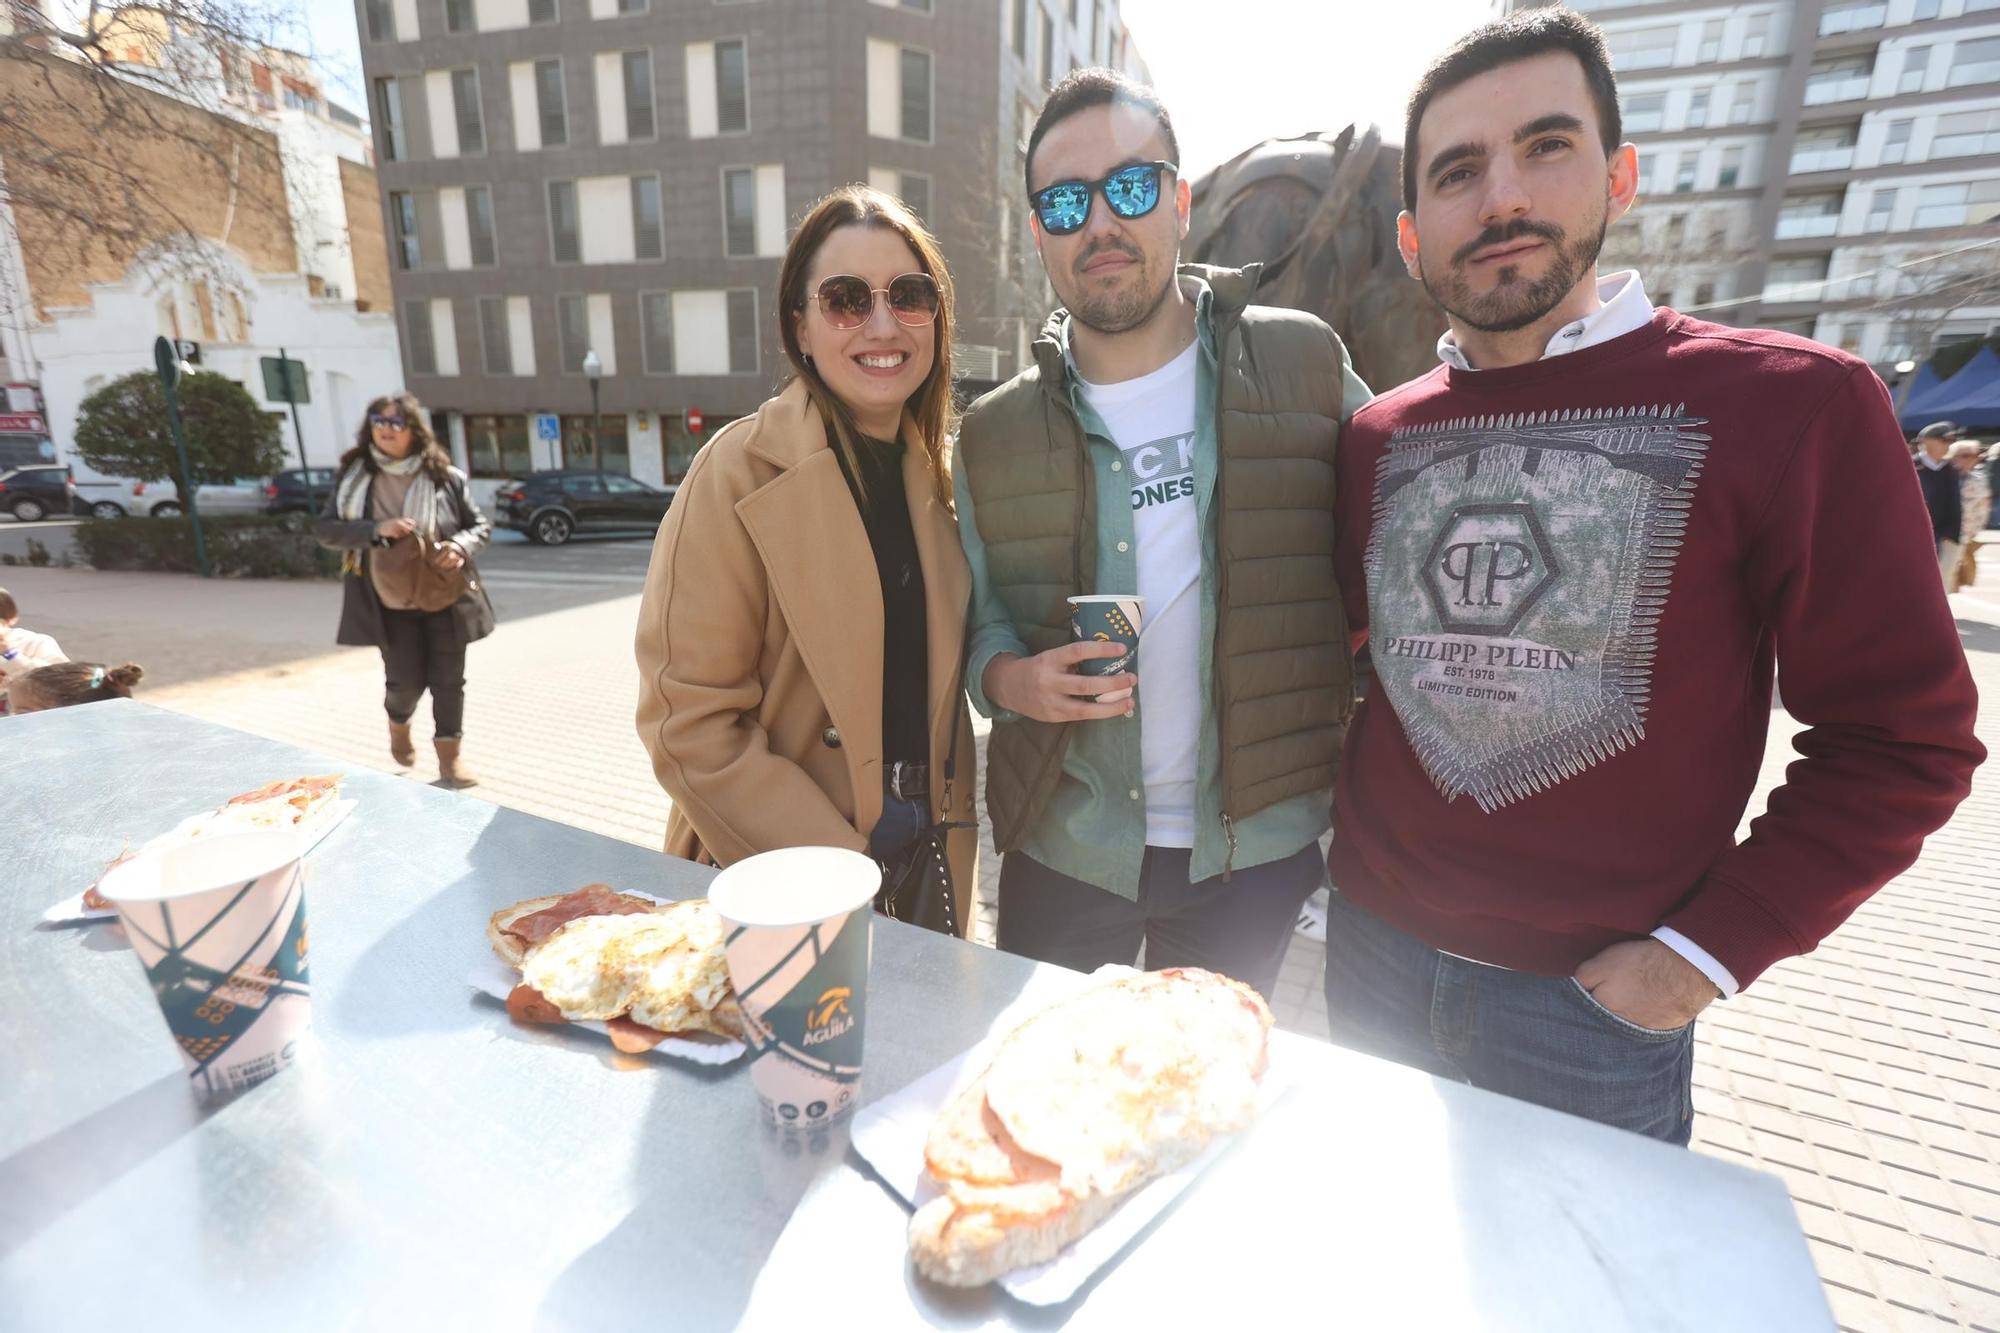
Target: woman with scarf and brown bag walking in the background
x,y
407,529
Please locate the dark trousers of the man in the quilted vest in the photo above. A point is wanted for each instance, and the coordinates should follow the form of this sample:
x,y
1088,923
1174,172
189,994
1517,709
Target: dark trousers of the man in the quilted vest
x,y
1239,928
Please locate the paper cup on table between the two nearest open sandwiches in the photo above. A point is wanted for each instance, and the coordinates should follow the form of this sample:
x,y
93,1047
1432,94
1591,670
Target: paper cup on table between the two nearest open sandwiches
x,y
797,944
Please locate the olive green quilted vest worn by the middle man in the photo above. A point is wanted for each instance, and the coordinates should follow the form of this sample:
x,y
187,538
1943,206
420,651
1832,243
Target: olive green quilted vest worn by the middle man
x,y
1283,672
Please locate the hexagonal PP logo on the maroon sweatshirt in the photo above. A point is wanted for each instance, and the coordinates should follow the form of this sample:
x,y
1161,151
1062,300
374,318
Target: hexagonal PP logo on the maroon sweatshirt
x,y
1489,567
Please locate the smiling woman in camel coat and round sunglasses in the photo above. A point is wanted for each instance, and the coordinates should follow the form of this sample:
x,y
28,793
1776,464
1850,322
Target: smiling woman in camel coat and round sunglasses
x,y
803,625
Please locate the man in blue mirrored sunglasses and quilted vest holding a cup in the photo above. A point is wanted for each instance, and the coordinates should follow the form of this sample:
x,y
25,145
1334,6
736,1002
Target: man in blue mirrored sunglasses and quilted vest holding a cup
x,y
1177,443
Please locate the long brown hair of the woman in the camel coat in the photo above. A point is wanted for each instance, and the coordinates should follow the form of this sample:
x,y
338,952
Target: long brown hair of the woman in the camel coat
x,y
931,405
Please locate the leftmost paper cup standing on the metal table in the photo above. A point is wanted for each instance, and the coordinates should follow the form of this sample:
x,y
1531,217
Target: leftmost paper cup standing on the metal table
x,y
221,928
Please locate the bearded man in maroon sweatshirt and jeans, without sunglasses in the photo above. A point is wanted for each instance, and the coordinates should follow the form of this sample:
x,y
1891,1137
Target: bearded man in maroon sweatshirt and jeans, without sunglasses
x,y
1585,543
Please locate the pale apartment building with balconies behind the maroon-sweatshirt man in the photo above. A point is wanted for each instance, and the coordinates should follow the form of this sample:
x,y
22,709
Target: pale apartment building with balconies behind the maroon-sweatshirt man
x,y
1827,167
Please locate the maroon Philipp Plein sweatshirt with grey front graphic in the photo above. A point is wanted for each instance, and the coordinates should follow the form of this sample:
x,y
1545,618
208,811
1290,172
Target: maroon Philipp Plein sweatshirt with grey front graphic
x,y
1577,577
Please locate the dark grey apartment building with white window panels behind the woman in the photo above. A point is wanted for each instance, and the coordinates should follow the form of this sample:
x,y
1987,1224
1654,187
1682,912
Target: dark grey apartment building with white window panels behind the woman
x,y
621,177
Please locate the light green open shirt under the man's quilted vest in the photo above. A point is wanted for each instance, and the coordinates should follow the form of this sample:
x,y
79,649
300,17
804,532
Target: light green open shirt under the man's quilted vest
x,y
1095,824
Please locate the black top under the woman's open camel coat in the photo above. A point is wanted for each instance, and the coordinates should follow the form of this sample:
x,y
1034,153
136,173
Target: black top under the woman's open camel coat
x,y
905,629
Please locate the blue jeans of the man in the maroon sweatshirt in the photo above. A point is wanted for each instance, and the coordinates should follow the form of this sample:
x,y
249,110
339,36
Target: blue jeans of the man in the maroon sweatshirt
x,y
1543,1040
